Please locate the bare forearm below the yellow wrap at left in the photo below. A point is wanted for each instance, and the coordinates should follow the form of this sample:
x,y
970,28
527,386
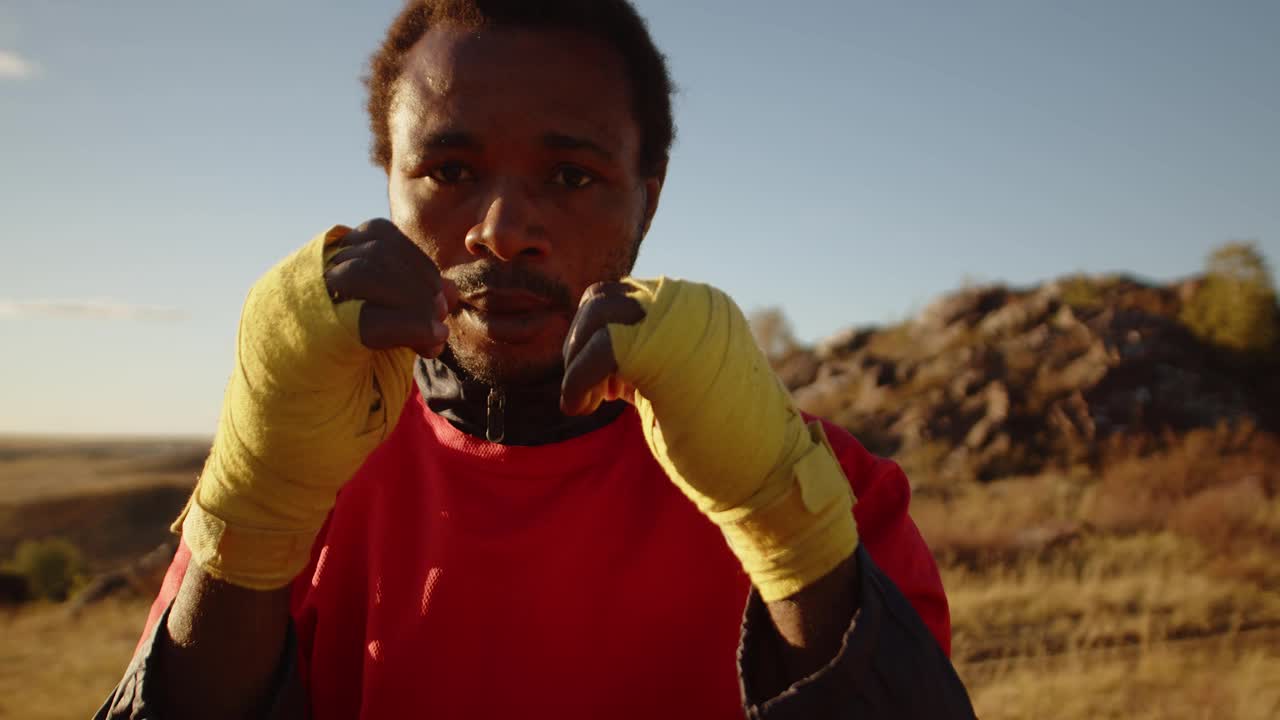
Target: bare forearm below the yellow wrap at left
x,y
221,649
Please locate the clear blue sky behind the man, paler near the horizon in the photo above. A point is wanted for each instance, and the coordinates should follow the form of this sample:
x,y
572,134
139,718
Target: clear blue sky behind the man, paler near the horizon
x,y
844,161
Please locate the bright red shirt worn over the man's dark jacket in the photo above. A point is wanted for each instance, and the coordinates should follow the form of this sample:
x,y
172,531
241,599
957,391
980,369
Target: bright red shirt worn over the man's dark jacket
x,y
459,578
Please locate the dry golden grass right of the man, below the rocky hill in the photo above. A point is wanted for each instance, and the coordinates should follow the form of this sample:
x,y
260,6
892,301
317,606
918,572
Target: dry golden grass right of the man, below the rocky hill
x,y
1146,590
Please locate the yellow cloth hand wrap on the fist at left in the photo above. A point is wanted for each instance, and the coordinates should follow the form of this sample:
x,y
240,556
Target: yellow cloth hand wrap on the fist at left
x,y
307,404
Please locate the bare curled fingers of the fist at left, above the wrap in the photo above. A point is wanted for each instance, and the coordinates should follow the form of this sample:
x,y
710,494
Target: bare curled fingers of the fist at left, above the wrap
x,y
406,300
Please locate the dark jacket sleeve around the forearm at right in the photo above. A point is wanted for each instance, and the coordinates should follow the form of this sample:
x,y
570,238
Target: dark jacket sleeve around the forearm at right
x,y
889,666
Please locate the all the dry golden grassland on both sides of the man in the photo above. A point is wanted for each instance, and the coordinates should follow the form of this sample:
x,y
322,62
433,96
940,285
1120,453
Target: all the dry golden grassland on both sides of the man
x,y
1148,589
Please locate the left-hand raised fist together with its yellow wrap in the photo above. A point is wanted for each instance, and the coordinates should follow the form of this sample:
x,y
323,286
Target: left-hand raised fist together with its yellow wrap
x,y
324,367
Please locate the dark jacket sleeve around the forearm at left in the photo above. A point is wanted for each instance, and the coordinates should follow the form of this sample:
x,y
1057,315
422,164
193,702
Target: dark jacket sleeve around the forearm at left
x,y
134,698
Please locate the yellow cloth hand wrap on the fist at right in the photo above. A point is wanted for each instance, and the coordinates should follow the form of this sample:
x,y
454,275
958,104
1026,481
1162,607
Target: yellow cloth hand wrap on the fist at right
x,y
725,430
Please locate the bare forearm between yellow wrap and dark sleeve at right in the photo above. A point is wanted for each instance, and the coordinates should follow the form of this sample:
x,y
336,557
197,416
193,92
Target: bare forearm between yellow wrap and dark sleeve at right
x,y
815,622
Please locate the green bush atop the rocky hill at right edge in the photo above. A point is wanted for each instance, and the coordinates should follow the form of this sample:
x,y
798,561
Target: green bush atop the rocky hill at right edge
x,y
1236,307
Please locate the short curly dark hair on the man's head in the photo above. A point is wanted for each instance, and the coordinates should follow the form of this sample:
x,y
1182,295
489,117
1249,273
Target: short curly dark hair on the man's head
x,y
615,22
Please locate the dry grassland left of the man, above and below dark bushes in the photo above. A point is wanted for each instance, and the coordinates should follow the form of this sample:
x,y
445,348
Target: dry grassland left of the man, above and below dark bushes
x,y
111,499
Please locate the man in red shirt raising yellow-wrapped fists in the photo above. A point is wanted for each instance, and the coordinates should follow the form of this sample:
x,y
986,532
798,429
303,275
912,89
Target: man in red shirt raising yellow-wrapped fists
x,y
592,477
